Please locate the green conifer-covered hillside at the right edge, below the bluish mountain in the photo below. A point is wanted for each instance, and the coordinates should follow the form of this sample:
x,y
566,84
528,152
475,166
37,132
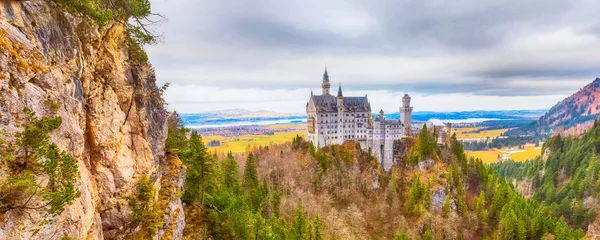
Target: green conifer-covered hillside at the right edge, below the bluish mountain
x,y
565,180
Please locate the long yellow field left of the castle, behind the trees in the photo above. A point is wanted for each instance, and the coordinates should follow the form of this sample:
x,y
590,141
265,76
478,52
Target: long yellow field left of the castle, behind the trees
x,y
241,143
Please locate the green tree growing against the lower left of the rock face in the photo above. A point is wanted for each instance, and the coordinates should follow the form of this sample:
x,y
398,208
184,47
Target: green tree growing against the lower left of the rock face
x,y
33,155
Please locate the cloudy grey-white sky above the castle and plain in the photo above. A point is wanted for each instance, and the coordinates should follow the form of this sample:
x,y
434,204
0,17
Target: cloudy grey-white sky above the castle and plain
x,y
448,55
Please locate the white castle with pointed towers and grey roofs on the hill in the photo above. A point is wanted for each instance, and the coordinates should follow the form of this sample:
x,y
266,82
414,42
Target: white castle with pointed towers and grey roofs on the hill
x,y
335,119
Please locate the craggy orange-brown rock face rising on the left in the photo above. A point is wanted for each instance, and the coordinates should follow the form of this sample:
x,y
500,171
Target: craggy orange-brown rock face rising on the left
x,y
114,122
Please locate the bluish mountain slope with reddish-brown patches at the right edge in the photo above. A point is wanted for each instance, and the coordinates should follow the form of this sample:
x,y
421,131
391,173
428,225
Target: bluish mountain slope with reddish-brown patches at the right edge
x,y
572,115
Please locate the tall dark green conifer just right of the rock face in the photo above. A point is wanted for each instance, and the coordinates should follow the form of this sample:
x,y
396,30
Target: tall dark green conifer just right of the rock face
x,y
199,169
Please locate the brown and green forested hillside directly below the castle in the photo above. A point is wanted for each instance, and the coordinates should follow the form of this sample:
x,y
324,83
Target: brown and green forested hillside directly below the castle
x,y
294,191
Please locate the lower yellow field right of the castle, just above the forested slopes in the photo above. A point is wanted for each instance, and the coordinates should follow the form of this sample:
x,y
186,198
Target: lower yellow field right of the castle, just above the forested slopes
x,y
491,156
